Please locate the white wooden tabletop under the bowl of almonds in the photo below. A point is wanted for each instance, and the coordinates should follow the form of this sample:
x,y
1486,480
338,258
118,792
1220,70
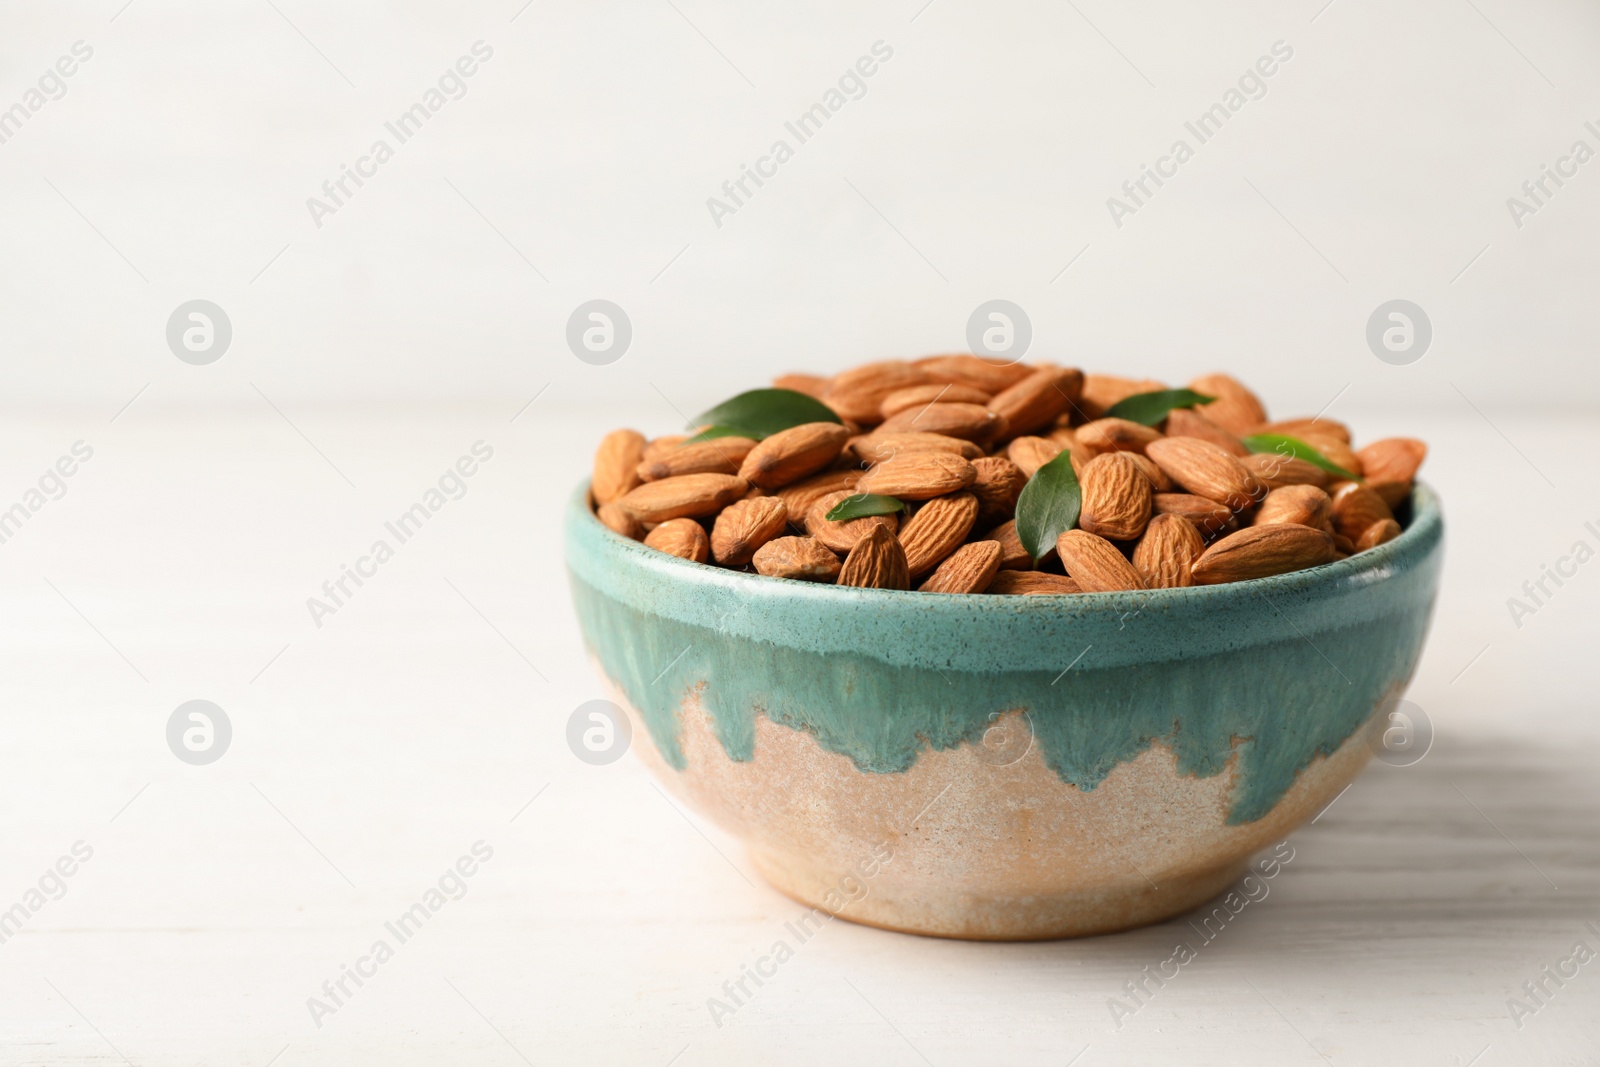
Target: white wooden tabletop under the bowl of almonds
x,y
428,714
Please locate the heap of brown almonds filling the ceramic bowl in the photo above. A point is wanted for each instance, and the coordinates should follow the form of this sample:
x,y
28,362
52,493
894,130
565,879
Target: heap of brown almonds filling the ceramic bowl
x,y
956,439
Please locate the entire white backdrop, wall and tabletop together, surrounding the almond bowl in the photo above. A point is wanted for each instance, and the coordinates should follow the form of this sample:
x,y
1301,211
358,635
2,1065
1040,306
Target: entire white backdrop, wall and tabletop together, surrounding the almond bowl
x,y
425,316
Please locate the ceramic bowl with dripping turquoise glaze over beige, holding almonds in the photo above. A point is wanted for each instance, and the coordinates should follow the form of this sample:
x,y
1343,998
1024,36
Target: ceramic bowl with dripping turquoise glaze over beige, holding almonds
x,y
1004,767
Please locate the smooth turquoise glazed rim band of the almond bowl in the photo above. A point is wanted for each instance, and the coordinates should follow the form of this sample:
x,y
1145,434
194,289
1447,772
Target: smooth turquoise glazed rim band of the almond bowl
x,y
988,633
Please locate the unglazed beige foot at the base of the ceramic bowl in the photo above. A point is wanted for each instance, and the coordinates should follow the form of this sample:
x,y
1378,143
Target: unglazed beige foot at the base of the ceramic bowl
x,y
985,917
